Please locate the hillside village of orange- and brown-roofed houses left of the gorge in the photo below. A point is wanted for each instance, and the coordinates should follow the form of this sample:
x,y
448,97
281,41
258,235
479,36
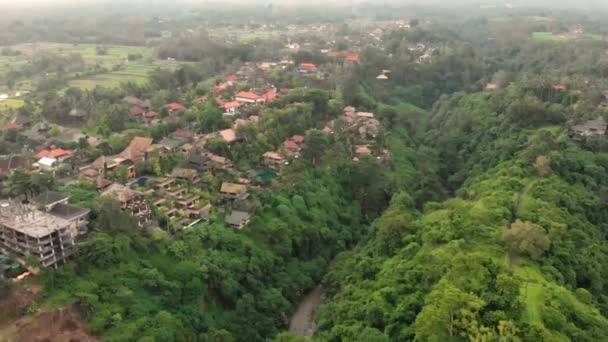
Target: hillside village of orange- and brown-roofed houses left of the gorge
x,y
199,186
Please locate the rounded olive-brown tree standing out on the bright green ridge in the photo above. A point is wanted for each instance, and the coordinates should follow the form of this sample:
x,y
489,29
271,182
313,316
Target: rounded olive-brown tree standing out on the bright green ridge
x,y
525,238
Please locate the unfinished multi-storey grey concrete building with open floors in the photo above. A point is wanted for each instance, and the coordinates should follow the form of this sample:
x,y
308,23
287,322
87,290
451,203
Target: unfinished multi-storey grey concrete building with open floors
x,y
26,231
